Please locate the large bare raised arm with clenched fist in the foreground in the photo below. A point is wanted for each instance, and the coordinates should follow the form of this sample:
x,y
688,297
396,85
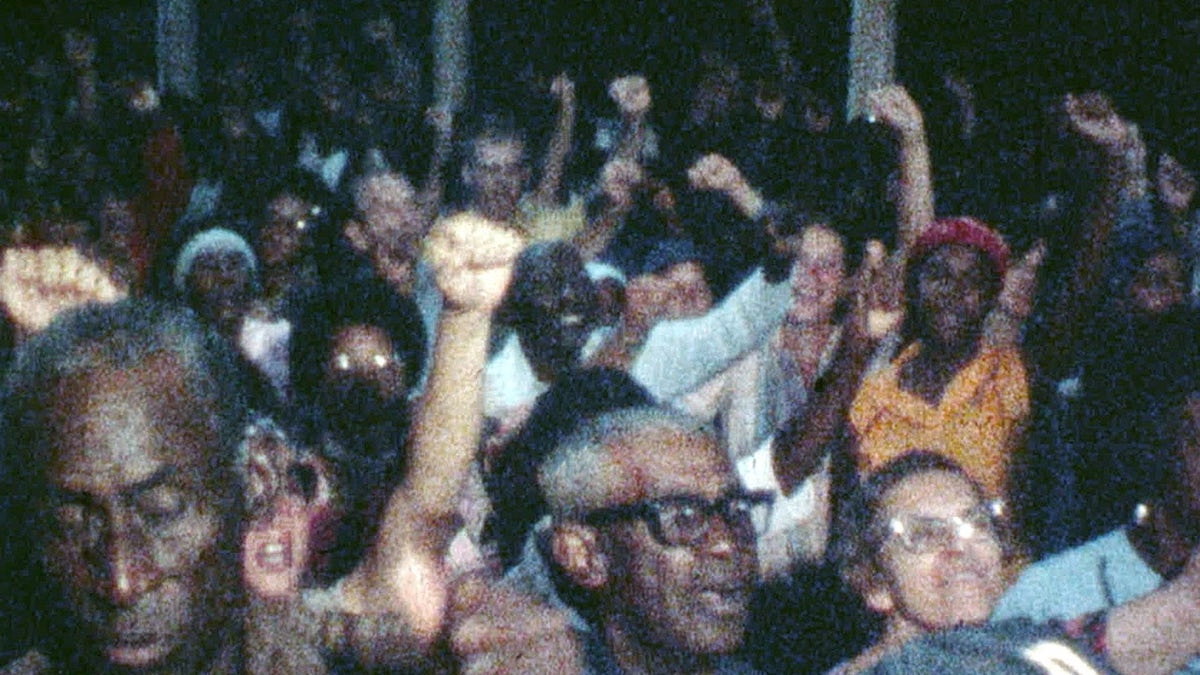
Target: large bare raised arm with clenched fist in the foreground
x,y
403,575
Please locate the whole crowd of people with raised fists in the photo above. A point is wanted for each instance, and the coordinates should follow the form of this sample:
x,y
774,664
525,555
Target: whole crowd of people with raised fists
x,y
344,381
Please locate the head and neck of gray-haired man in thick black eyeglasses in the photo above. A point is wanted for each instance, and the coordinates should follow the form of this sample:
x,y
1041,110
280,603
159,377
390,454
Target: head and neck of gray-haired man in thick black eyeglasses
x,y
656,534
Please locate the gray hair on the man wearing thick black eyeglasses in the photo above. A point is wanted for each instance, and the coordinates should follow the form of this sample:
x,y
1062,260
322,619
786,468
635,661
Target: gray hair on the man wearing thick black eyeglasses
x,y
583,474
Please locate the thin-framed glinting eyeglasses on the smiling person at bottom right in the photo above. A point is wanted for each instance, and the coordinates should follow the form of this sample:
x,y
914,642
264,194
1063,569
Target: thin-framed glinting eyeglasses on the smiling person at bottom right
x,y
926,535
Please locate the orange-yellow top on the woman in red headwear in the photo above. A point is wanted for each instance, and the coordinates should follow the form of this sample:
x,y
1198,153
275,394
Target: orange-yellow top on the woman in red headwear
x,y
975,423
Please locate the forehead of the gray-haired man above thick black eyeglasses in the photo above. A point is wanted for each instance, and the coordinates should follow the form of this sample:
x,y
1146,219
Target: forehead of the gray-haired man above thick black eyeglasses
x,y
664,462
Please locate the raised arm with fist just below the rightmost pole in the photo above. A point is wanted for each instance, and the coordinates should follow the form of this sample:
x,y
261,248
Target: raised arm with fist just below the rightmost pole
x,y
893,107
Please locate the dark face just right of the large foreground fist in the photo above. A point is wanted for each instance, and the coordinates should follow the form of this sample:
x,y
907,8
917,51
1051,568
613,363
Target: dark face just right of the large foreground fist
x,y
563,310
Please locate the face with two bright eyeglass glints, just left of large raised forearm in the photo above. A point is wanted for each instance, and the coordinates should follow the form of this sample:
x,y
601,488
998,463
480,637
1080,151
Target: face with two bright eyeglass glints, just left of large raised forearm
x,y
365,380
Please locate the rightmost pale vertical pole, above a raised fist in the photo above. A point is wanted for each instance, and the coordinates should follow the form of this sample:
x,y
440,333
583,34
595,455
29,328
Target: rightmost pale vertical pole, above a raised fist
x,y
873,35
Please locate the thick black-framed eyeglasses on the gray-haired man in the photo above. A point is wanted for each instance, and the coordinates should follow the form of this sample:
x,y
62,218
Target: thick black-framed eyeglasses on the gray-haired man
x,y
686,521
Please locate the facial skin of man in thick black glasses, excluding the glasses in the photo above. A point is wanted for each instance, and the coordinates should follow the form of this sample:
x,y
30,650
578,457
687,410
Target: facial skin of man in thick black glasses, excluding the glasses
x,y
693,600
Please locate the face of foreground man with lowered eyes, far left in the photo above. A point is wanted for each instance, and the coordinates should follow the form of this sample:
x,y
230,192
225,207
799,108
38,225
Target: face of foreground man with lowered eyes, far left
x,y
140,537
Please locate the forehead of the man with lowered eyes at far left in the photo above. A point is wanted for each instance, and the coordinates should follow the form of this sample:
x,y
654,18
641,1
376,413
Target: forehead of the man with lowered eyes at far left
x,y
112,429
